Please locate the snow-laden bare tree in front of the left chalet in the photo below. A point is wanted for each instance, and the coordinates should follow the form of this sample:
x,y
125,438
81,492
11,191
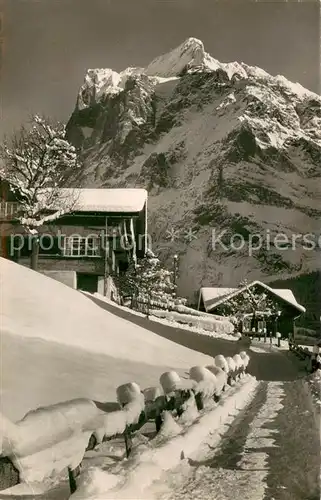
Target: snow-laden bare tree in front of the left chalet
x,y
37,162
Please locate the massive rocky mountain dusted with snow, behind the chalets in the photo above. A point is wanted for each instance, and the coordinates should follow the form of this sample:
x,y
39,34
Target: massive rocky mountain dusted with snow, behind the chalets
x,y
230,156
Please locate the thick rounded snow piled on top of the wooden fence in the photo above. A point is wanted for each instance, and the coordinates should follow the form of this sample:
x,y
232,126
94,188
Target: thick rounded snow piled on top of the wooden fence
x,y
50,439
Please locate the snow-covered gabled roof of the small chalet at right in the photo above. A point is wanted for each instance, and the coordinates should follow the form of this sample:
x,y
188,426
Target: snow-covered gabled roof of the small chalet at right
x,y
214,296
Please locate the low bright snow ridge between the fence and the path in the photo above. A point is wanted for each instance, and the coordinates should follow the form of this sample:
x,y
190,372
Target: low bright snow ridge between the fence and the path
x,y
141,470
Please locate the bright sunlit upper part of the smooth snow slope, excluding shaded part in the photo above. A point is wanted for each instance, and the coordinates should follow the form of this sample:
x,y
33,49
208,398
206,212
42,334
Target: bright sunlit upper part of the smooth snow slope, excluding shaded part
x,y
47,311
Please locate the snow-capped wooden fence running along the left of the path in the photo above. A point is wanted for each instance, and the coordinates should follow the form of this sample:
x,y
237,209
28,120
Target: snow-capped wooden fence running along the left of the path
x,y
96,424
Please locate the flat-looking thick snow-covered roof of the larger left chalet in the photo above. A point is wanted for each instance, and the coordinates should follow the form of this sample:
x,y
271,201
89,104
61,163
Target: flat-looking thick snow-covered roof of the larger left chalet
x,y
107,200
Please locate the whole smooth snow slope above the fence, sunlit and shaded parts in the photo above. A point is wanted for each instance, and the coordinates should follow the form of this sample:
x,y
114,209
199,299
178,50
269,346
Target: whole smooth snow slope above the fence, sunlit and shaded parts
x,y
57,345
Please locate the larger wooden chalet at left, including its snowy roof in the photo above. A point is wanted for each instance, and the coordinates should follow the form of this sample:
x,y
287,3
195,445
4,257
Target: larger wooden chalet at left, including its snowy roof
x,y
105,229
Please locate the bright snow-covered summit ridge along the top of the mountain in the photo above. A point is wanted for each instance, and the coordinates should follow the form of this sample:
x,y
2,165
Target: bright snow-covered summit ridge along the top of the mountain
x,y
190,56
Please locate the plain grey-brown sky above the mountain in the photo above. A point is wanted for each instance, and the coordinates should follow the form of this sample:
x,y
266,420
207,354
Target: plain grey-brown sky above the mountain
x,y
49,44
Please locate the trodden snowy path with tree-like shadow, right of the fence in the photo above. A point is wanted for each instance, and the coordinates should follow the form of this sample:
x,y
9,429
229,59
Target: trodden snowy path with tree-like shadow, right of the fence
x,y
270,452
